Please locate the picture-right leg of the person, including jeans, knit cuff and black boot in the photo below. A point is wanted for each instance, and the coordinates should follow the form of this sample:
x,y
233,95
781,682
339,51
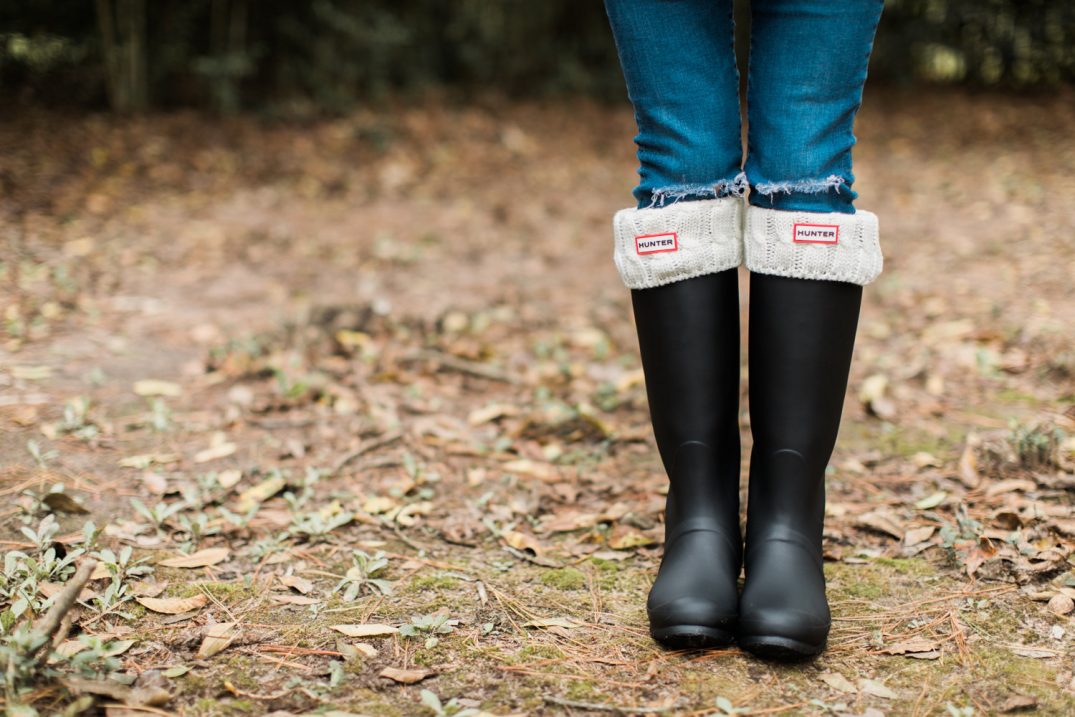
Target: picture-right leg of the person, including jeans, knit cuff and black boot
x,y
810,254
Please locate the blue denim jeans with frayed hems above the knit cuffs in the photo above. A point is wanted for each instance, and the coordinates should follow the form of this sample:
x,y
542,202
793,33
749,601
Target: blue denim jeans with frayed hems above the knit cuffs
x,y
808,66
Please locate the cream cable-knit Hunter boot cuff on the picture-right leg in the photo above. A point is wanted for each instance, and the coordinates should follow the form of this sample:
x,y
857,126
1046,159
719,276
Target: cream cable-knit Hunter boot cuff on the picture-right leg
x,y
838,248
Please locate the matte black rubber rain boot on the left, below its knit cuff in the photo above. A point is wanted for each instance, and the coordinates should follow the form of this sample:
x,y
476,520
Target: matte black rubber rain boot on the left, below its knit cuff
x,y
690,341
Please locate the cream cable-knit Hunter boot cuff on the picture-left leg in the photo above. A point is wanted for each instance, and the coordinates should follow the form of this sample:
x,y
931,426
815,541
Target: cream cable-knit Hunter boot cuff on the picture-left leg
x,y
665,245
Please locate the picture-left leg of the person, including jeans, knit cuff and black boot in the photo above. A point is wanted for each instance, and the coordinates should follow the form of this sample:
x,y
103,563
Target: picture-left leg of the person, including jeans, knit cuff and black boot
x,y
678,252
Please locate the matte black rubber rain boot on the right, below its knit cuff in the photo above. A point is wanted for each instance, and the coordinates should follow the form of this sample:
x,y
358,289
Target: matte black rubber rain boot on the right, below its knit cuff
x,y
801,338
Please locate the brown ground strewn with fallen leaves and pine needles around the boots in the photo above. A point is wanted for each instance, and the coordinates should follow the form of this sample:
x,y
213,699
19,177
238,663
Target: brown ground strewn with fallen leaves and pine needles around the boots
x,y
283,349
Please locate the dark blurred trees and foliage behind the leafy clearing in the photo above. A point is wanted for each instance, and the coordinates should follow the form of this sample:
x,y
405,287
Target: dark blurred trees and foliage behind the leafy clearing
x,y
291,58
